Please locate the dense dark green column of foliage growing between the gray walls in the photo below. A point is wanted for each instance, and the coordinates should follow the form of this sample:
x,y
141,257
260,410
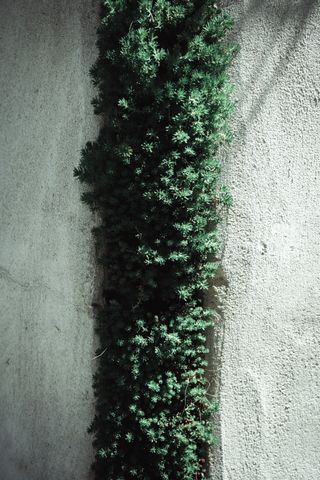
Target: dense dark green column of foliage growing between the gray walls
x,y
153,172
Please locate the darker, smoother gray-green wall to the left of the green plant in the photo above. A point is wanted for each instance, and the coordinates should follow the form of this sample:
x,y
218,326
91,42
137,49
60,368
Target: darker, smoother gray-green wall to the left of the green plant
x,y
46,271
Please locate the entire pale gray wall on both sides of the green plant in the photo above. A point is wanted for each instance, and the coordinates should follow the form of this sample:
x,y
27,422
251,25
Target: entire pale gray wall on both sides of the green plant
x,y
267,342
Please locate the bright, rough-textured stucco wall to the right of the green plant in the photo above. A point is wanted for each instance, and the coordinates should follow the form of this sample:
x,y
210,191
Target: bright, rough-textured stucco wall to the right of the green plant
x,y
269,380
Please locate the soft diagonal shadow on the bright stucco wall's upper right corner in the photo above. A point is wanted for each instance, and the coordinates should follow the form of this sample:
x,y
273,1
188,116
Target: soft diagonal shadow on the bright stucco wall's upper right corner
x,y
282,32
